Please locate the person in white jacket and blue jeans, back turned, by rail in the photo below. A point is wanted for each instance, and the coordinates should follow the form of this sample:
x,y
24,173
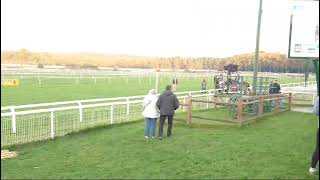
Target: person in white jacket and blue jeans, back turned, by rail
x,y
150,112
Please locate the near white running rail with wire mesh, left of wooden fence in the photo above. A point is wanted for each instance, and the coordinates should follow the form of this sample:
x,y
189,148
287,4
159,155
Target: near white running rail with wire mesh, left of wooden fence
x,y
42,121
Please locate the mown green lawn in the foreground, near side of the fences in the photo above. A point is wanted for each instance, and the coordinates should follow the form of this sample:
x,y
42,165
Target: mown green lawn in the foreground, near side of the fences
x,y
276,147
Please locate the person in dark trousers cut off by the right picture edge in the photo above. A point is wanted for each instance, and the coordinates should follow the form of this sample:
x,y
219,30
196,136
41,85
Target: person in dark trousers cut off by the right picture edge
x,y
315,155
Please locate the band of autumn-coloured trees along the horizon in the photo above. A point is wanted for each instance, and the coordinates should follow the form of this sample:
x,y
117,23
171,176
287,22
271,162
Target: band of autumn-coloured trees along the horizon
x,y
269,62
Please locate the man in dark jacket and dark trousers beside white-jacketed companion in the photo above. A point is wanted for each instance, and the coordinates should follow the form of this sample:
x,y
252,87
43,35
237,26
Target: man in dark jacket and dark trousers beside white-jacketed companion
x,y
167,103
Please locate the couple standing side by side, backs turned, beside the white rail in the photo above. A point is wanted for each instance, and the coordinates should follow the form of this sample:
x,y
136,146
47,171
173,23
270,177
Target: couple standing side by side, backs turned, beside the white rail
x,y
164,106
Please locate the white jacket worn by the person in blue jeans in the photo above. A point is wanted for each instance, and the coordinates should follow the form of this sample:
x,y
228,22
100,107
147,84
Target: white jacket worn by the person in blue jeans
x,y
150,107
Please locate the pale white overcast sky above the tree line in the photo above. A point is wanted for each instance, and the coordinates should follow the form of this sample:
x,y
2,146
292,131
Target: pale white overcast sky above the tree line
x,y
216,28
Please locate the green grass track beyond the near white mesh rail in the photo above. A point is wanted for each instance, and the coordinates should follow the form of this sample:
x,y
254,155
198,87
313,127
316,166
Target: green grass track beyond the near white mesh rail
x,y
52,90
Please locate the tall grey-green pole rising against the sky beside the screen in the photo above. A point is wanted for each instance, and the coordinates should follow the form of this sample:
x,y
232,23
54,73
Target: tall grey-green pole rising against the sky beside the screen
x,y
256,64
